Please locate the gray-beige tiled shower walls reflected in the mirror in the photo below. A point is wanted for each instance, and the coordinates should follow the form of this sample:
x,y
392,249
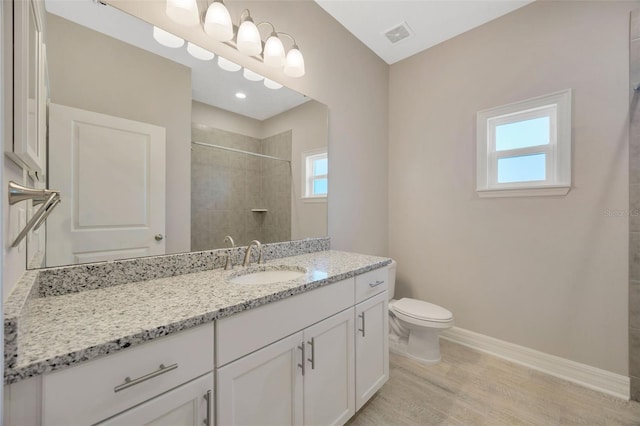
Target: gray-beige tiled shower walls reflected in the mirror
x,y
226,186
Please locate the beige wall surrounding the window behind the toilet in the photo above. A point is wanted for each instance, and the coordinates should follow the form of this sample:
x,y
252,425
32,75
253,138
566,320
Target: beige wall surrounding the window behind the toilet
x,y
548,273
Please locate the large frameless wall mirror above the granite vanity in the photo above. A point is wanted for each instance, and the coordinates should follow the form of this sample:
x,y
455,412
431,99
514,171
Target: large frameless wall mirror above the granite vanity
x,y
149,144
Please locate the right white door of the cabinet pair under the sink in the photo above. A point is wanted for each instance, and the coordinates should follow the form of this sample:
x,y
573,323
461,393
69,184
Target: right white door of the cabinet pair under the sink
x,y
329,374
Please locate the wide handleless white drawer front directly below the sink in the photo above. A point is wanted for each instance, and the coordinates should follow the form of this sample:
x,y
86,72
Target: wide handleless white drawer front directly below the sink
x,y
243,333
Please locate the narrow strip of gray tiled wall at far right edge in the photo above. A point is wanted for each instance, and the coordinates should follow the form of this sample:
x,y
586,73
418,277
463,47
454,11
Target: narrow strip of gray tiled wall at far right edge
x,y
634,209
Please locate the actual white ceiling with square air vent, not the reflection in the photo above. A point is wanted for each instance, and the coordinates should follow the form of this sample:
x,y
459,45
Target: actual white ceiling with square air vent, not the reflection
x,y
429,21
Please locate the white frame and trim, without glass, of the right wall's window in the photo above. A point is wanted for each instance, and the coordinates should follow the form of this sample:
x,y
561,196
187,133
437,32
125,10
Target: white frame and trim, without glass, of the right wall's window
x,y
557,152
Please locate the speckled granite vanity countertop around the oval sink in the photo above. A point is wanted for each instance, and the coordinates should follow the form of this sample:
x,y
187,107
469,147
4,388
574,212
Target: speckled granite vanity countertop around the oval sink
x,y
61,331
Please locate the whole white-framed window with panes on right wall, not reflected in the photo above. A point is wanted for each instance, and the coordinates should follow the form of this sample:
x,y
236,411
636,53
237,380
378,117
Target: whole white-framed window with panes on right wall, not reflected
x,y
524,148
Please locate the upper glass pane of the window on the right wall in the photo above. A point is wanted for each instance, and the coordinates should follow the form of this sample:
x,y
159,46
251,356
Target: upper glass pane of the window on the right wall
x,y
522,134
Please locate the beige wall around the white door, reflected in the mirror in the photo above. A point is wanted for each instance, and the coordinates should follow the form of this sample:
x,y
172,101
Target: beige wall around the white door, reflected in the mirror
x,y
91,71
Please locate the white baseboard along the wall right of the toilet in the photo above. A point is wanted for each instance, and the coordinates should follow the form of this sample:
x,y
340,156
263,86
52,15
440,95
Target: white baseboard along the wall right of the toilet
x,y
591,377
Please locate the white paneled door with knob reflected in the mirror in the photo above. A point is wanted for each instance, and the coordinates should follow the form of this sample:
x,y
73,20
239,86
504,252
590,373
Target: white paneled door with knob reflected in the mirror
x,y
111,175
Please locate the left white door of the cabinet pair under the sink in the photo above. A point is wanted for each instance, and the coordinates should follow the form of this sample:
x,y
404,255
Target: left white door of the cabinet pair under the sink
x,y
263,388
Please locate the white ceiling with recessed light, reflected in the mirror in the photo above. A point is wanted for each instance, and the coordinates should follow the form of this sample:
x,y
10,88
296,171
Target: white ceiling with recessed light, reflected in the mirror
x,y
209,83
